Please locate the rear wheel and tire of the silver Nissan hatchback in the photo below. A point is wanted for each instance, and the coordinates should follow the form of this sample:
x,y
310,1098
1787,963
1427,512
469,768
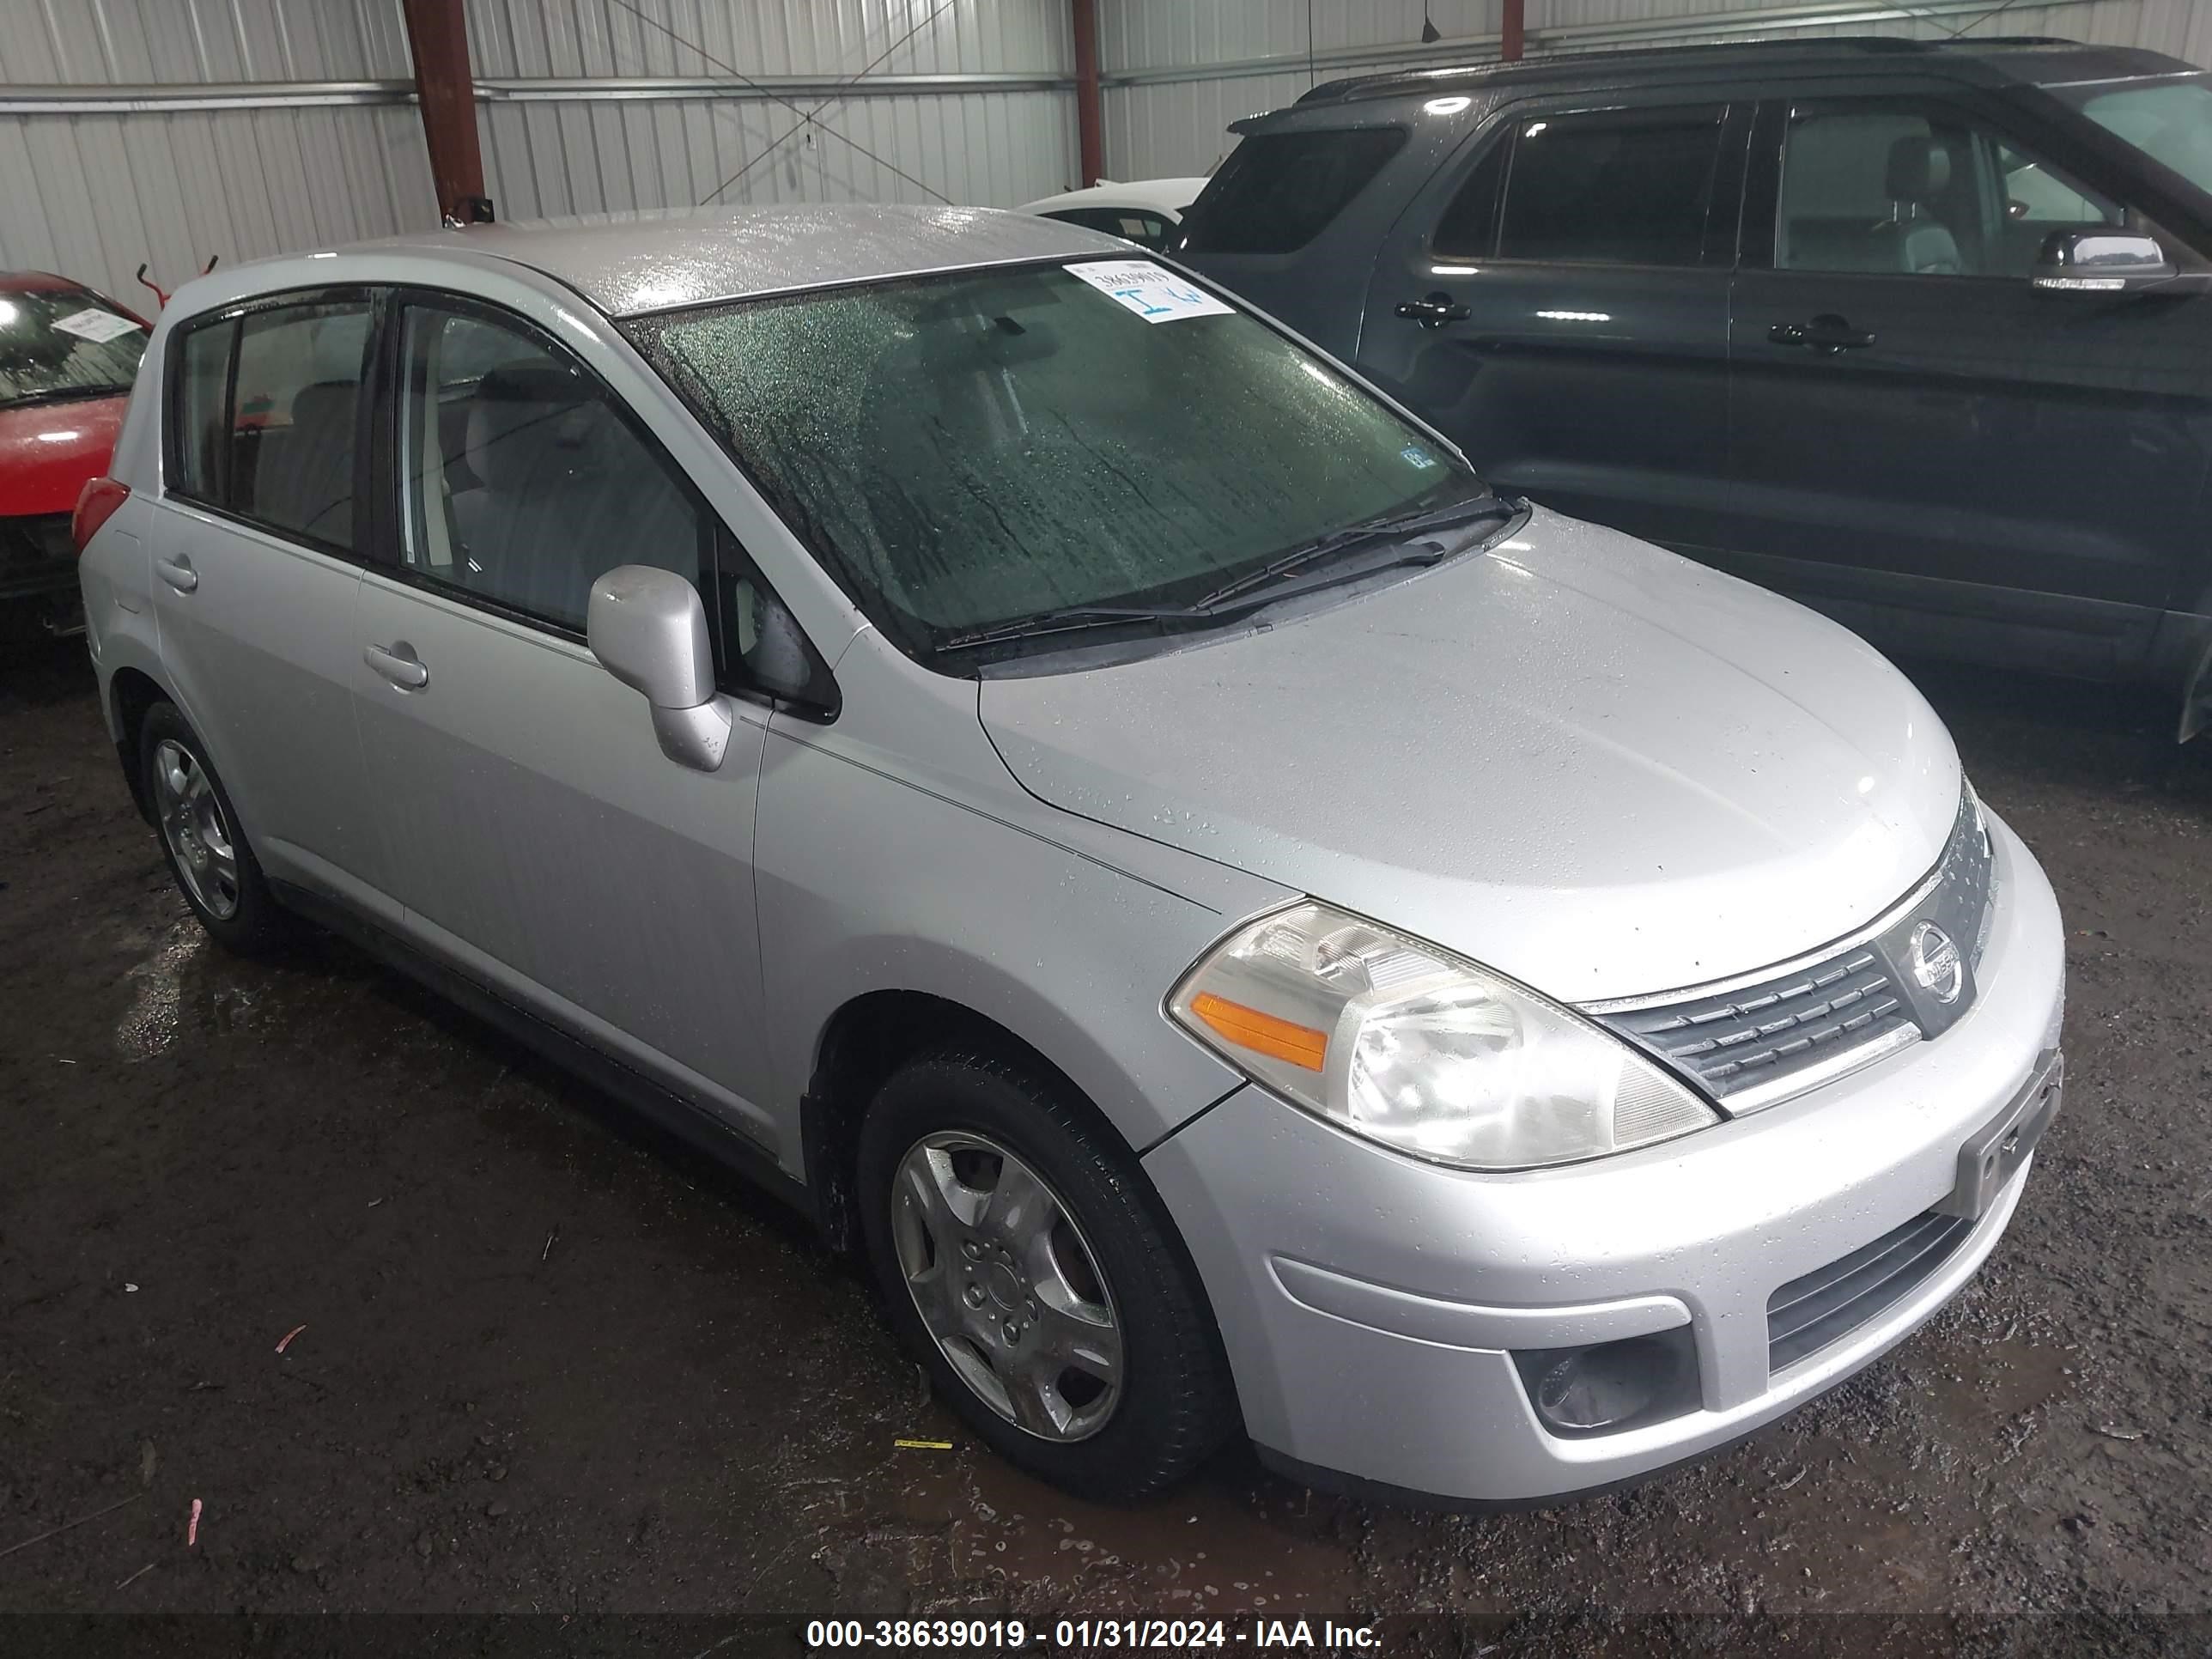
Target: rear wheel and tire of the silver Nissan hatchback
x,y
200,833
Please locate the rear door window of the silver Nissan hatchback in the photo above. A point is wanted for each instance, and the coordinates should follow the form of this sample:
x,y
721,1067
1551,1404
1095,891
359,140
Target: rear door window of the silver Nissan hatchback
x,y
267,415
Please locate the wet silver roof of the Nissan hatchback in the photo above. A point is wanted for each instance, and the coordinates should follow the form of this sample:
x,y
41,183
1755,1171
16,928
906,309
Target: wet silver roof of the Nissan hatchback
x,y
656,262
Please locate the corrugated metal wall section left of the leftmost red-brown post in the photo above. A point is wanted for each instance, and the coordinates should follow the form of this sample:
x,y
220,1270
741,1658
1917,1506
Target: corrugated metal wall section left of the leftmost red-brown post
x,y
96,194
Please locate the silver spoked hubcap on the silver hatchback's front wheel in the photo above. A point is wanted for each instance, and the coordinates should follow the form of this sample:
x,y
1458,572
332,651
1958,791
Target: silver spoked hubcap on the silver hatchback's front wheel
x,y
1008,1286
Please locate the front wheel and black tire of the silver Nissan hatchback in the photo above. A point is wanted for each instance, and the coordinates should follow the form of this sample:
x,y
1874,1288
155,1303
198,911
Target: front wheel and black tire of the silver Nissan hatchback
x,y
1027,1266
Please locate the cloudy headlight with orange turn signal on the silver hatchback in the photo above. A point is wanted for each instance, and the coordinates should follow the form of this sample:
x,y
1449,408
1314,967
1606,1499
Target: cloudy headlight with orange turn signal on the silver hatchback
x,y
1419,1050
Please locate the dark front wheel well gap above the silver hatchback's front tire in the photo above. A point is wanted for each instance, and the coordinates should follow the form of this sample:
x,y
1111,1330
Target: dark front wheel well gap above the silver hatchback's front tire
x,y
862,1047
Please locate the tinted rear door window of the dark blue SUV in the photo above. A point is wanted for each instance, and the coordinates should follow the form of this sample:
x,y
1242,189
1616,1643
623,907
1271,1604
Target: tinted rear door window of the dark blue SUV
x,y
1609,189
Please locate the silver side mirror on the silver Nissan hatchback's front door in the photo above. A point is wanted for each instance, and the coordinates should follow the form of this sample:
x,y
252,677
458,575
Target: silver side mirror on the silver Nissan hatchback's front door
x,y
649,632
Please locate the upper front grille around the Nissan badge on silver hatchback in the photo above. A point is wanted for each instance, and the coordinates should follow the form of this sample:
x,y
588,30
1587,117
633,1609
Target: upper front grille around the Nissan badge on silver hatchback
x,y
1746,1043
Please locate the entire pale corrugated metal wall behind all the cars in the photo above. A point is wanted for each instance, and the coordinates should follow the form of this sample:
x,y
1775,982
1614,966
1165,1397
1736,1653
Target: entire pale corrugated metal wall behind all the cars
x,y
176,129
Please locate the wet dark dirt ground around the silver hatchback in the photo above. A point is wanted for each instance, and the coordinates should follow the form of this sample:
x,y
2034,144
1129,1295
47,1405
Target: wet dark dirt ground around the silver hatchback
x,y
554,1366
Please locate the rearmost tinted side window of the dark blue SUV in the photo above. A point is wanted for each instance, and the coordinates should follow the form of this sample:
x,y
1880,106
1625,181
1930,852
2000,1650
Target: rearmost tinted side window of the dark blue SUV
x,y
1280,191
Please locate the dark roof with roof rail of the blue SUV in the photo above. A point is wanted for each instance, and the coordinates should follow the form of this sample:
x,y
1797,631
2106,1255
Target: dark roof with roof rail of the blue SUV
x,y
1996,61
